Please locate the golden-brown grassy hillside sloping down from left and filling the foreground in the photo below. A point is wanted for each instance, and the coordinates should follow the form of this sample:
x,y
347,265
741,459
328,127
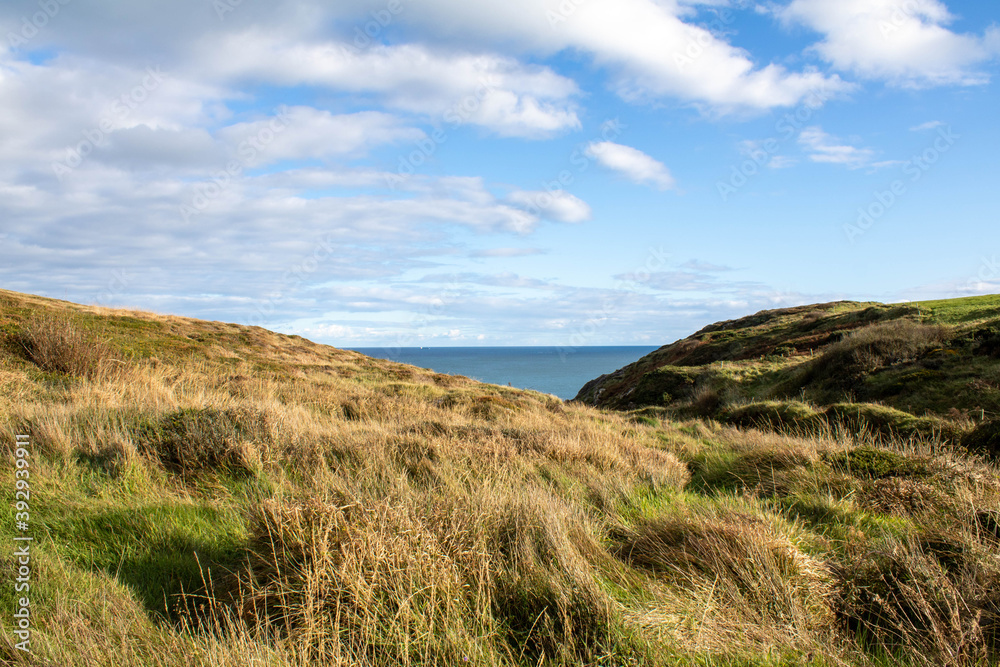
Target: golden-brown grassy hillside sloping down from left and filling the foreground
x,y
213,494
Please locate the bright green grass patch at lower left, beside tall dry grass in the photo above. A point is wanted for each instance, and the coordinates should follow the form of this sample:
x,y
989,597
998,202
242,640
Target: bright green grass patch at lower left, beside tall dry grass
x,y
151,542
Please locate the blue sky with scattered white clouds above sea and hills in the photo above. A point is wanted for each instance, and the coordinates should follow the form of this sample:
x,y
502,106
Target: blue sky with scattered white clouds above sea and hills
x,y
497,172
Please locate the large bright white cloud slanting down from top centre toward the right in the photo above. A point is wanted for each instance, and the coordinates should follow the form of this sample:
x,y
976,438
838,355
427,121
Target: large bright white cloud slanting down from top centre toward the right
x,y
647,46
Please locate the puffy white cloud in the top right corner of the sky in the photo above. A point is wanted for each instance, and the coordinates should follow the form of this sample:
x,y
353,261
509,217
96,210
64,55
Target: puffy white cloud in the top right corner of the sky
x,y
905,42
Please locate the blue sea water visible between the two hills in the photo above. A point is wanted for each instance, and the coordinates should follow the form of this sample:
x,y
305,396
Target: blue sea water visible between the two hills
x,y
551,370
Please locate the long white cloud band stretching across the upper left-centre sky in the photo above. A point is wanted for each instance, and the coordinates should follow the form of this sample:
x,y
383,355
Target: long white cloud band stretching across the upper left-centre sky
x,y
456,88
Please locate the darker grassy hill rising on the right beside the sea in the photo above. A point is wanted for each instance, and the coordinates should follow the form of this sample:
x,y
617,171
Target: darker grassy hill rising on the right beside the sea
x,y
916,369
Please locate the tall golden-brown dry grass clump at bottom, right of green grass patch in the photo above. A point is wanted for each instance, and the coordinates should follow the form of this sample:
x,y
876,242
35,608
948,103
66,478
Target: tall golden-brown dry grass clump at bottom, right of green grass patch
x,y
361,583
